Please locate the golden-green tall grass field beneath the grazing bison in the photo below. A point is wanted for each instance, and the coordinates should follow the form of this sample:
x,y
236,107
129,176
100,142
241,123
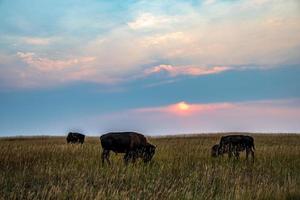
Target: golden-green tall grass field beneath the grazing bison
x,y
48,168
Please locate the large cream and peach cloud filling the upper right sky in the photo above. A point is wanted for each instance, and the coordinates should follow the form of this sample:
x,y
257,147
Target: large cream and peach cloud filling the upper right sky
x,y
218,33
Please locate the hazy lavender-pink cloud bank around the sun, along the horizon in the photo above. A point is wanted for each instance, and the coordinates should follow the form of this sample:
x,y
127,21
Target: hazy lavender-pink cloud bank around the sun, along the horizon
x,y
254,116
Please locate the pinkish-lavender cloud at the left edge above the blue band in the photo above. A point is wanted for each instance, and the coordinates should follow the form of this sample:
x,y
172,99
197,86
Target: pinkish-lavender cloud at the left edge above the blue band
x,y
35,71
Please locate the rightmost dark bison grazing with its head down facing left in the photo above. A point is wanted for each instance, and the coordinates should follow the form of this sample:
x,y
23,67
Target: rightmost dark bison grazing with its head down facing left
x,y
233,144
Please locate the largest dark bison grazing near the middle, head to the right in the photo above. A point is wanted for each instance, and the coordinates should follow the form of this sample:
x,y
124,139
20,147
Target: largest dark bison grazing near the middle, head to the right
x,y
133,144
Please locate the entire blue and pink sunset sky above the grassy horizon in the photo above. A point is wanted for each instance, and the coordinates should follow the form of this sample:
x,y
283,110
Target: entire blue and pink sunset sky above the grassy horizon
x,y
156,67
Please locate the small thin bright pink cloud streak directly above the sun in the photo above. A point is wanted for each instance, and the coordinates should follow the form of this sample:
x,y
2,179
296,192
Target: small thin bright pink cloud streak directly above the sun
x,y
186,70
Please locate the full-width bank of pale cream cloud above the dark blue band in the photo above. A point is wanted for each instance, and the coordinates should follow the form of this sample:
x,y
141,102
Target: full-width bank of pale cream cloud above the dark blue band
x,y
213,33
